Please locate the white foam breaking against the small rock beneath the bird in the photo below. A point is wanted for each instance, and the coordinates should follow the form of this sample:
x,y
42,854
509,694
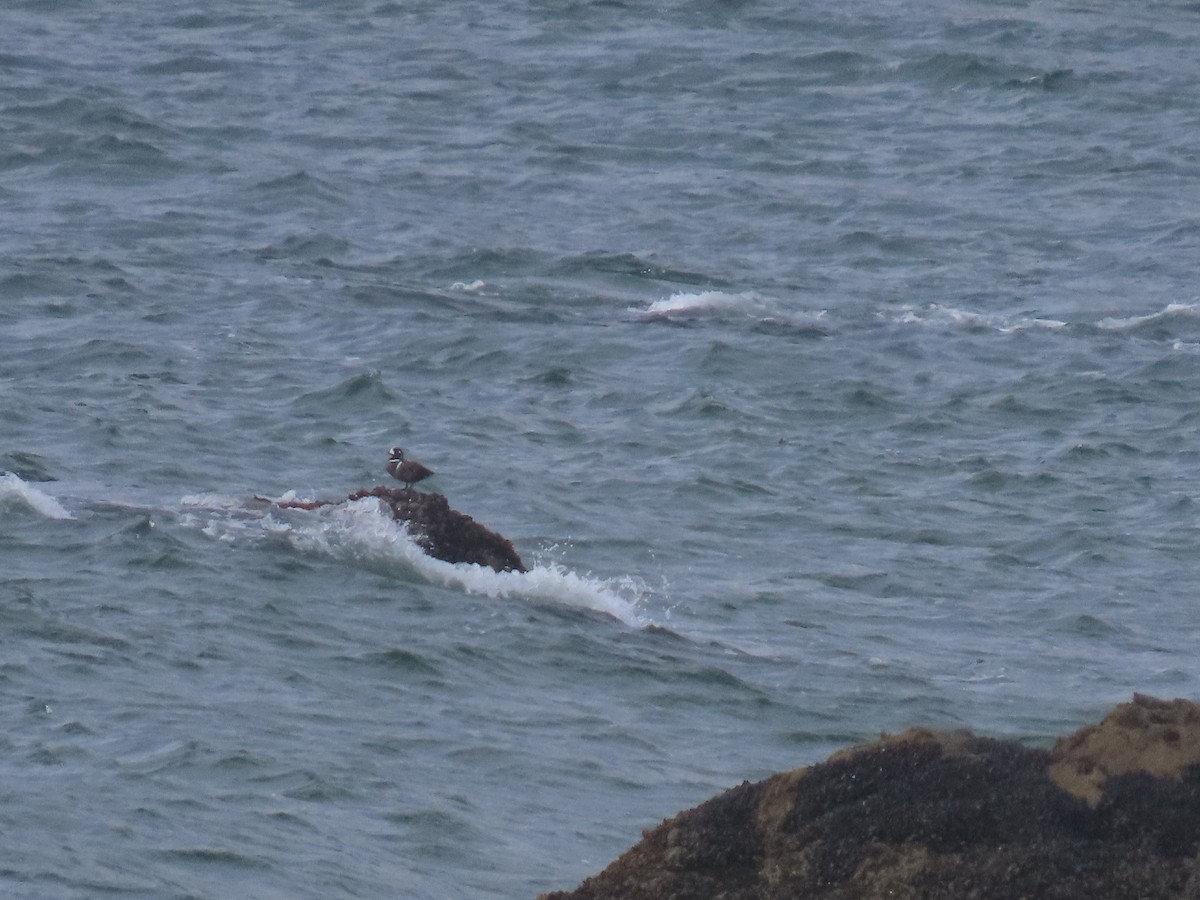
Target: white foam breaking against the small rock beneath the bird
x,y
363,531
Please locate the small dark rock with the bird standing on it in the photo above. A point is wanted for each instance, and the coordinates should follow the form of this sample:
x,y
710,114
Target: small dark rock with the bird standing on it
x,y
446,533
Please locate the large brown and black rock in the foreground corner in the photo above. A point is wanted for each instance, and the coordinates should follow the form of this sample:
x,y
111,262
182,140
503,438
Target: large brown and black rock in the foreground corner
x,y
1112,812
